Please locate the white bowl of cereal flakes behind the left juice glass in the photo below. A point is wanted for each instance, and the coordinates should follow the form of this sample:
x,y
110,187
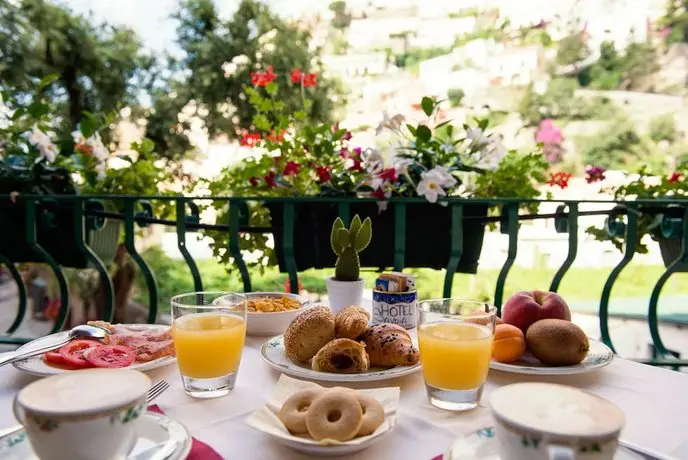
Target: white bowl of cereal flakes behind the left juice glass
x,y
270,313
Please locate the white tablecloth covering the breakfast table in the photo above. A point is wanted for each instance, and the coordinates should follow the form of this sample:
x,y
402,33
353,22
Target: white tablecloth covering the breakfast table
x,y
655,402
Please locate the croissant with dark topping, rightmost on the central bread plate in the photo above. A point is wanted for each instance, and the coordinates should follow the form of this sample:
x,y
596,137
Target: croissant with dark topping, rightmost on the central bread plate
x,y
389,345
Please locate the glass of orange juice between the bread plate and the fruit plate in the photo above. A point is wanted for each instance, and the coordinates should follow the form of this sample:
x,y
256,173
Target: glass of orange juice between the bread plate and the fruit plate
x,y
455,342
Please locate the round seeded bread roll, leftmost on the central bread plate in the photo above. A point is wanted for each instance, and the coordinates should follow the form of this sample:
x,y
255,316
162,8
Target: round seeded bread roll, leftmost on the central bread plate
x,y
308,333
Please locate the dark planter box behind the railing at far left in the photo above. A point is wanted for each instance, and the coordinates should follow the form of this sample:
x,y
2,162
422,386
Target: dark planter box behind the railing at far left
x,y
54,220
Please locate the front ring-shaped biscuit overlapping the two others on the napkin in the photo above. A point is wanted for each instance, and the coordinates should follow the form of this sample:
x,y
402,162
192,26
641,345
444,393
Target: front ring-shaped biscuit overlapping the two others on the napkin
x,y
334,415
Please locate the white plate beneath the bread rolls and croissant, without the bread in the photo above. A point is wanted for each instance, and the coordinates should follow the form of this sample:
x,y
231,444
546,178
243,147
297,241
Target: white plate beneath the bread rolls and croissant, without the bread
x,y
274,354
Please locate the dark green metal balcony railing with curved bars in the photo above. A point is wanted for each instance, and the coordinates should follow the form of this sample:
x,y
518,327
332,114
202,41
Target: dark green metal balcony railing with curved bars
x,y
622,221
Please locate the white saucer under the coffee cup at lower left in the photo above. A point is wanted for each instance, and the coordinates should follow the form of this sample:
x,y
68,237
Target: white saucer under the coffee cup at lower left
x,y
153,429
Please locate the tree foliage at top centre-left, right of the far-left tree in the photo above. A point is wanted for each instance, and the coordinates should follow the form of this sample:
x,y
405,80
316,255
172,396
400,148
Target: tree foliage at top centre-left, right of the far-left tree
x,y
218,59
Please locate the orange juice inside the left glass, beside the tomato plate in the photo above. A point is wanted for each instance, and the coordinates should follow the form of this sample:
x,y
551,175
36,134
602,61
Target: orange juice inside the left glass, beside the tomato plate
x,y
208,345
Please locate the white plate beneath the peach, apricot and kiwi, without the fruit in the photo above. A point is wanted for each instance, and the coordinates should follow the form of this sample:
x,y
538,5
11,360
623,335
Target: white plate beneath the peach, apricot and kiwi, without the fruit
x,y
599,355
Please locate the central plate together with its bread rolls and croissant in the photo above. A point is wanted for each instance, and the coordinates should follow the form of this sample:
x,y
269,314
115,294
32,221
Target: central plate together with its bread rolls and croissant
x,y
318,345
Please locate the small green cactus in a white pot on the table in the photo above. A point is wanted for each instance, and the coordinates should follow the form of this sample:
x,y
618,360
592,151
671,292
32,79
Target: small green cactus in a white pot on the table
x,y
345,288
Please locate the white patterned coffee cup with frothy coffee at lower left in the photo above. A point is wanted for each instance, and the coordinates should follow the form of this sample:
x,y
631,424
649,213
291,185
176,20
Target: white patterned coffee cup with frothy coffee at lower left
x,y
83,415
